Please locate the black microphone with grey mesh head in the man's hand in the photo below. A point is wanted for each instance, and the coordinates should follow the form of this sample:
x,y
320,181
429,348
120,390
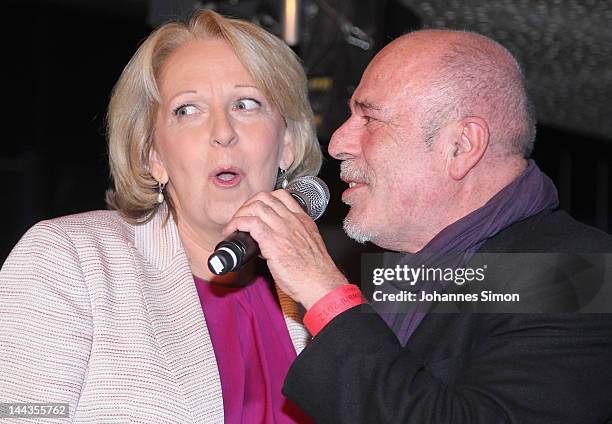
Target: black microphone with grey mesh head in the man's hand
x,y
238,248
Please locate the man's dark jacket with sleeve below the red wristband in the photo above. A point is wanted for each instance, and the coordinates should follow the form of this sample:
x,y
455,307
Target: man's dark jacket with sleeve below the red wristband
x,y
469,367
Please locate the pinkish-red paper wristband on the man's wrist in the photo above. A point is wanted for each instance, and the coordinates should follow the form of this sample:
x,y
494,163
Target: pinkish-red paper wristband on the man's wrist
x,y
331,305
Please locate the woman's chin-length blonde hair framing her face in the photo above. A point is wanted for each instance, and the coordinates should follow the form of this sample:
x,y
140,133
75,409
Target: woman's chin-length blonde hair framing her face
x,y
273,66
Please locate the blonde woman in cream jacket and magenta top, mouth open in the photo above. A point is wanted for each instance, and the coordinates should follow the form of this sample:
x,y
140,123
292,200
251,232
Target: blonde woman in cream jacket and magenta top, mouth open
x,y
115,313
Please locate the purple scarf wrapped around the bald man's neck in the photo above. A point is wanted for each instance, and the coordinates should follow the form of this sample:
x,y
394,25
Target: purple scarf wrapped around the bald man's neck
x,y
531,193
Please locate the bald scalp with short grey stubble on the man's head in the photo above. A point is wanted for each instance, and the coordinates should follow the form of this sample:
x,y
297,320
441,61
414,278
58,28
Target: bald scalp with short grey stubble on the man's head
x,y
455,74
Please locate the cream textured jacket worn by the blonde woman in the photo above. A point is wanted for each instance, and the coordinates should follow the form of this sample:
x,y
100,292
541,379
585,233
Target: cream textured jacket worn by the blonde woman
x,y
105,316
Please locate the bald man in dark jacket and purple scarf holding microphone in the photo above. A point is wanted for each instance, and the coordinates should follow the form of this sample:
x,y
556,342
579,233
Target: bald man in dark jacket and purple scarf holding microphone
x,y
436,156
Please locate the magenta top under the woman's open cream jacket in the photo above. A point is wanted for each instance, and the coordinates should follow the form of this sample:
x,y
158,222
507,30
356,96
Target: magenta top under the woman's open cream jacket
x,y
253,351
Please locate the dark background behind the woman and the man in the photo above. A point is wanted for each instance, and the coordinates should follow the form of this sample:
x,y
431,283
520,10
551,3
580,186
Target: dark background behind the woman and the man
x,y
63,57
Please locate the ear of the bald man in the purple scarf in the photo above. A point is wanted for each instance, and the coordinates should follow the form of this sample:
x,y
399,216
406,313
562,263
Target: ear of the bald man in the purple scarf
x,y
469,146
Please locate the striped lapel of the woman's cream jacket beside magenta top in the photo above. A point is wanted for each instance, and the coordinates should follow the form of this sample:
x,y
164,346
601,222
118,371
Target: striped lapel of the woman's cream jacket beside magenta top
x,y
177,317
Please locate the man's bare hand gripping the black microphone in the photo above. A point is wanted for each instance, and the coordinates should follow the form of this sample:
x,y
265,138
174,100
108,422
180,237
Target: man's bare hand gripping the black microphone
x,y
290,242
